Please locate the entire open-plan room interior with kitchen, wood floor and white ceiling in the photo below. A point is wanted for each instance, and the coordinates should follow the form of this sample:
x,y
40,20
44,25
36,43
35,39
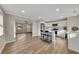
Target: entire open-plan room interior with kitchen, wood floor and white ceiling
x,y
39,29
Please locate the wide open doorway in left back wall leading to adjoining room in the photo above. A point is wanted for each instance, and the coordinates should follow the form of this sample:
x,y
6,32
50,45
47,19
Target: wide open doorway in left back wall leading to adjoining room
x,y
23,29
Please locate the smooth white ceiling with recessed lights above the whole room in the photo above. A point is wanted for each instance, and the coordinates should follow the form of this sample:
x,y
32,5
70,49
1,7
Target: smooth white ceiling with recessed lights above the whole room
x,y
42,11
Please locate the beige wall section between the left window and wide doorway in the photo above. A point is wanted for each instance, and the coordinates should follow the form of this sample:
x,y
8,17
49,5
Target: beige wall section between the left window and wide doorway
x,y
9,26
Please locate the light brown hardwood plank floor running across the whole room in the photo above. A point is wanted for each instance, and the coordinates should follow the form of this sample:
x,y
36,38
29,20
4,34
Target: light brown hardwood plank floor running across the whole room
x,y
25,44
